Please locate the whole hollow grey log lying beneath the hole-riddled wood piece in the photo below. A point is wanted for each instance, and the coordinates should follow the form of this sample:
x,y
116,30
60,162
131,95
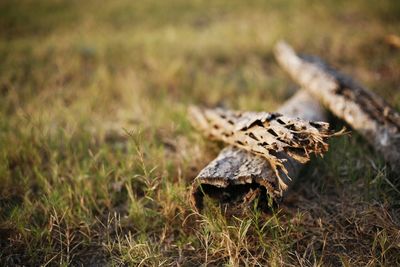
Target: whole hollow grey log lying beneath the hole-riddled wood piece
x,y
235,175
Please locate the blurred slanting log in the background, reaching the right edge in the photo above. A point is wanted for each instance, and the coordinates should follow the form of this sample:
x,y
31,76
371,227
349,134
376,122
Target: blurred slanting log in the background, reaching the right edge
x,y
363,110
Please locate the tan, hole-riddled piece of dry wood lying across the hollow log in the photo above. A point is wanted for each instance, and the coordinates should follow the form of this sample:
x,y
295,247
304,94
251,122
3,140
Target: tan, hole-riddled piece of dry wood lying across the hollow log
x,y
264,134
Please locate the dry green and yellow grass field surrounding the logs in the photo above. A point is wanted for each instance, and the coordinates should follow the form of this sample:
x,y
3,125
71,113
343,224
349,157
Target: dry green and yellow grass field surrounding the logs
x,y
97,154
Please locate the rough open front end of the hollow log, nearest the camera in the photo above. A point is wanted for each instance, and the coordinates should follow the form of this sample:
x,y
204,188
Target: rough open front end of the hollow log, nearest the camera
x,y
234,176
